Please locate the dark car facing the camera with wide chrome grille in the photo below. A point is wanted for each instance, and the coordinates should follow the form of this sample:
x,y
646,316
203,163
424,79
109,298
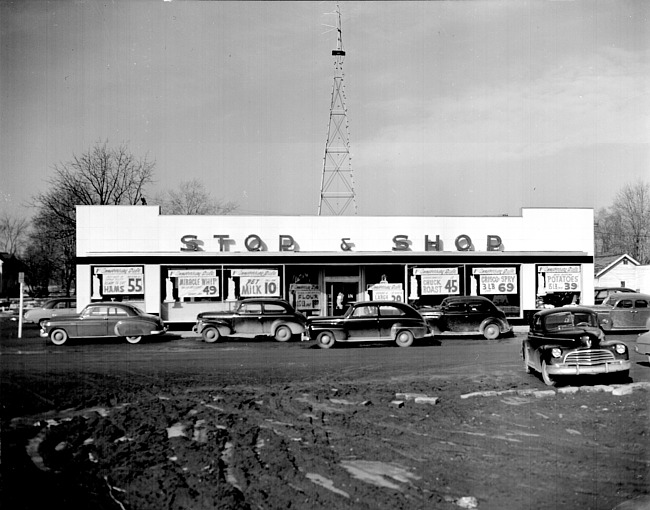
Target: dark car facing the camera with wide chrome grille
x,y
567,341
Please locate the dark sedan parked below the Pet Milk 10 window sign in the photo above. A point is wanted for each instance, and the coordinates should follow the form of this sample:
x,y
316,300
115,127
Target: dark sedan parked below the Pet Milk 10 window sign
x,y
252,317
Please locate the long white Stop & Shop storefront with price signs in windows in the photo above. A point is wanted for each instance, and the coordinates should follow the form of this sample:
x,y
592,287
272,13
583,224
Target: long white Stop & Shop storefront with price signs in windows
x,y
178,266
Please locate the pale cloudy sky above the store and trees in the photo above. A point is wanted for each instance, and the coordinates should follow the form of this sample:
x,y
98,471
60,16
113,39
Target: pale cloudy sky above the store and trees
x,y
455,108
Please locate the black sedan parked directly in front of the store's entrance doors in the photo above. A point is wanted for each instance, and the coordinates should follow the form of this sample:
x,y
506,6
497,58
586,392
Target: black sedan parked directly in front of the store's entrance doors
x,y
367,321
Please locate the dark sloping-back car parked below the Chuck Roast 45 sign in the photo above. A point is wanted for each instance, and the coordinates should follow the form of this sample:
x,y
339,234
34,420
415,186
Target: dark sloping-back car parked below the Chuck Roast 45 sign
x,y
462,315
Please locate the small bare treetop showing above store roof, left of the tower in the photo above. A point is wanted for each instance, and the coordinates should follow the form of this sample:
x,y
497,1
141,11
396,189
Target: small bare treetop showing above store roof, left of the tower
x,y
191,198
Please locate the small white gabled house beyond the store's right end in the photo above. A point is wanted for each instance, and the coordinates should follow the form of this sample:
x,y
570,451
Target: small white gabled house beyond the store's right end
x,y
622,271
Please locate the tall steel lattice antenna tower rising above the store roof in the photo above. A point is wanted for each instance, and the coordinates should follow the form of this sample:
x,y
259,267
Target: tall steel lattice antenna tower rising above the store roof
x,y
337,184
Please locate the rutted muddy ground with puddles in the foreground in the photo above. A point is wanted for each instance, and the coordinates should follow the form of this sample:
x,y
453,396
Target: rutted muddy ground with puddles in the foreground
x,y
367,445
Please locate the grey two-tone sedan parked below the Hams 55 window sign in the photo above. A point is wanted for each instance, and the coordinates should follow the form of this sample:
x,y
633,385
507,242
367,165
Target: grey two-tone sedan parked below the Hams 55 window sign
x,y
104,320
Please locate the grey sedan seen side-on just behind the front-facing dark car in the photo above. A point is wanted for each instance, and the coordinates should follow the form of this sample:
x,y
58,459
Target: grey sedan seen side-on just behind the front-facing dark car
x,y
629,311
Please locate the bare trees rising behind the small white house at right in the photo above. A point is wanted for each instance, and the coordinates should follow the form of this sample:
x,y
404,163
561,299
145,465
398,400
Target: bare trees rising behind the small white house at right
x,y
625,226
